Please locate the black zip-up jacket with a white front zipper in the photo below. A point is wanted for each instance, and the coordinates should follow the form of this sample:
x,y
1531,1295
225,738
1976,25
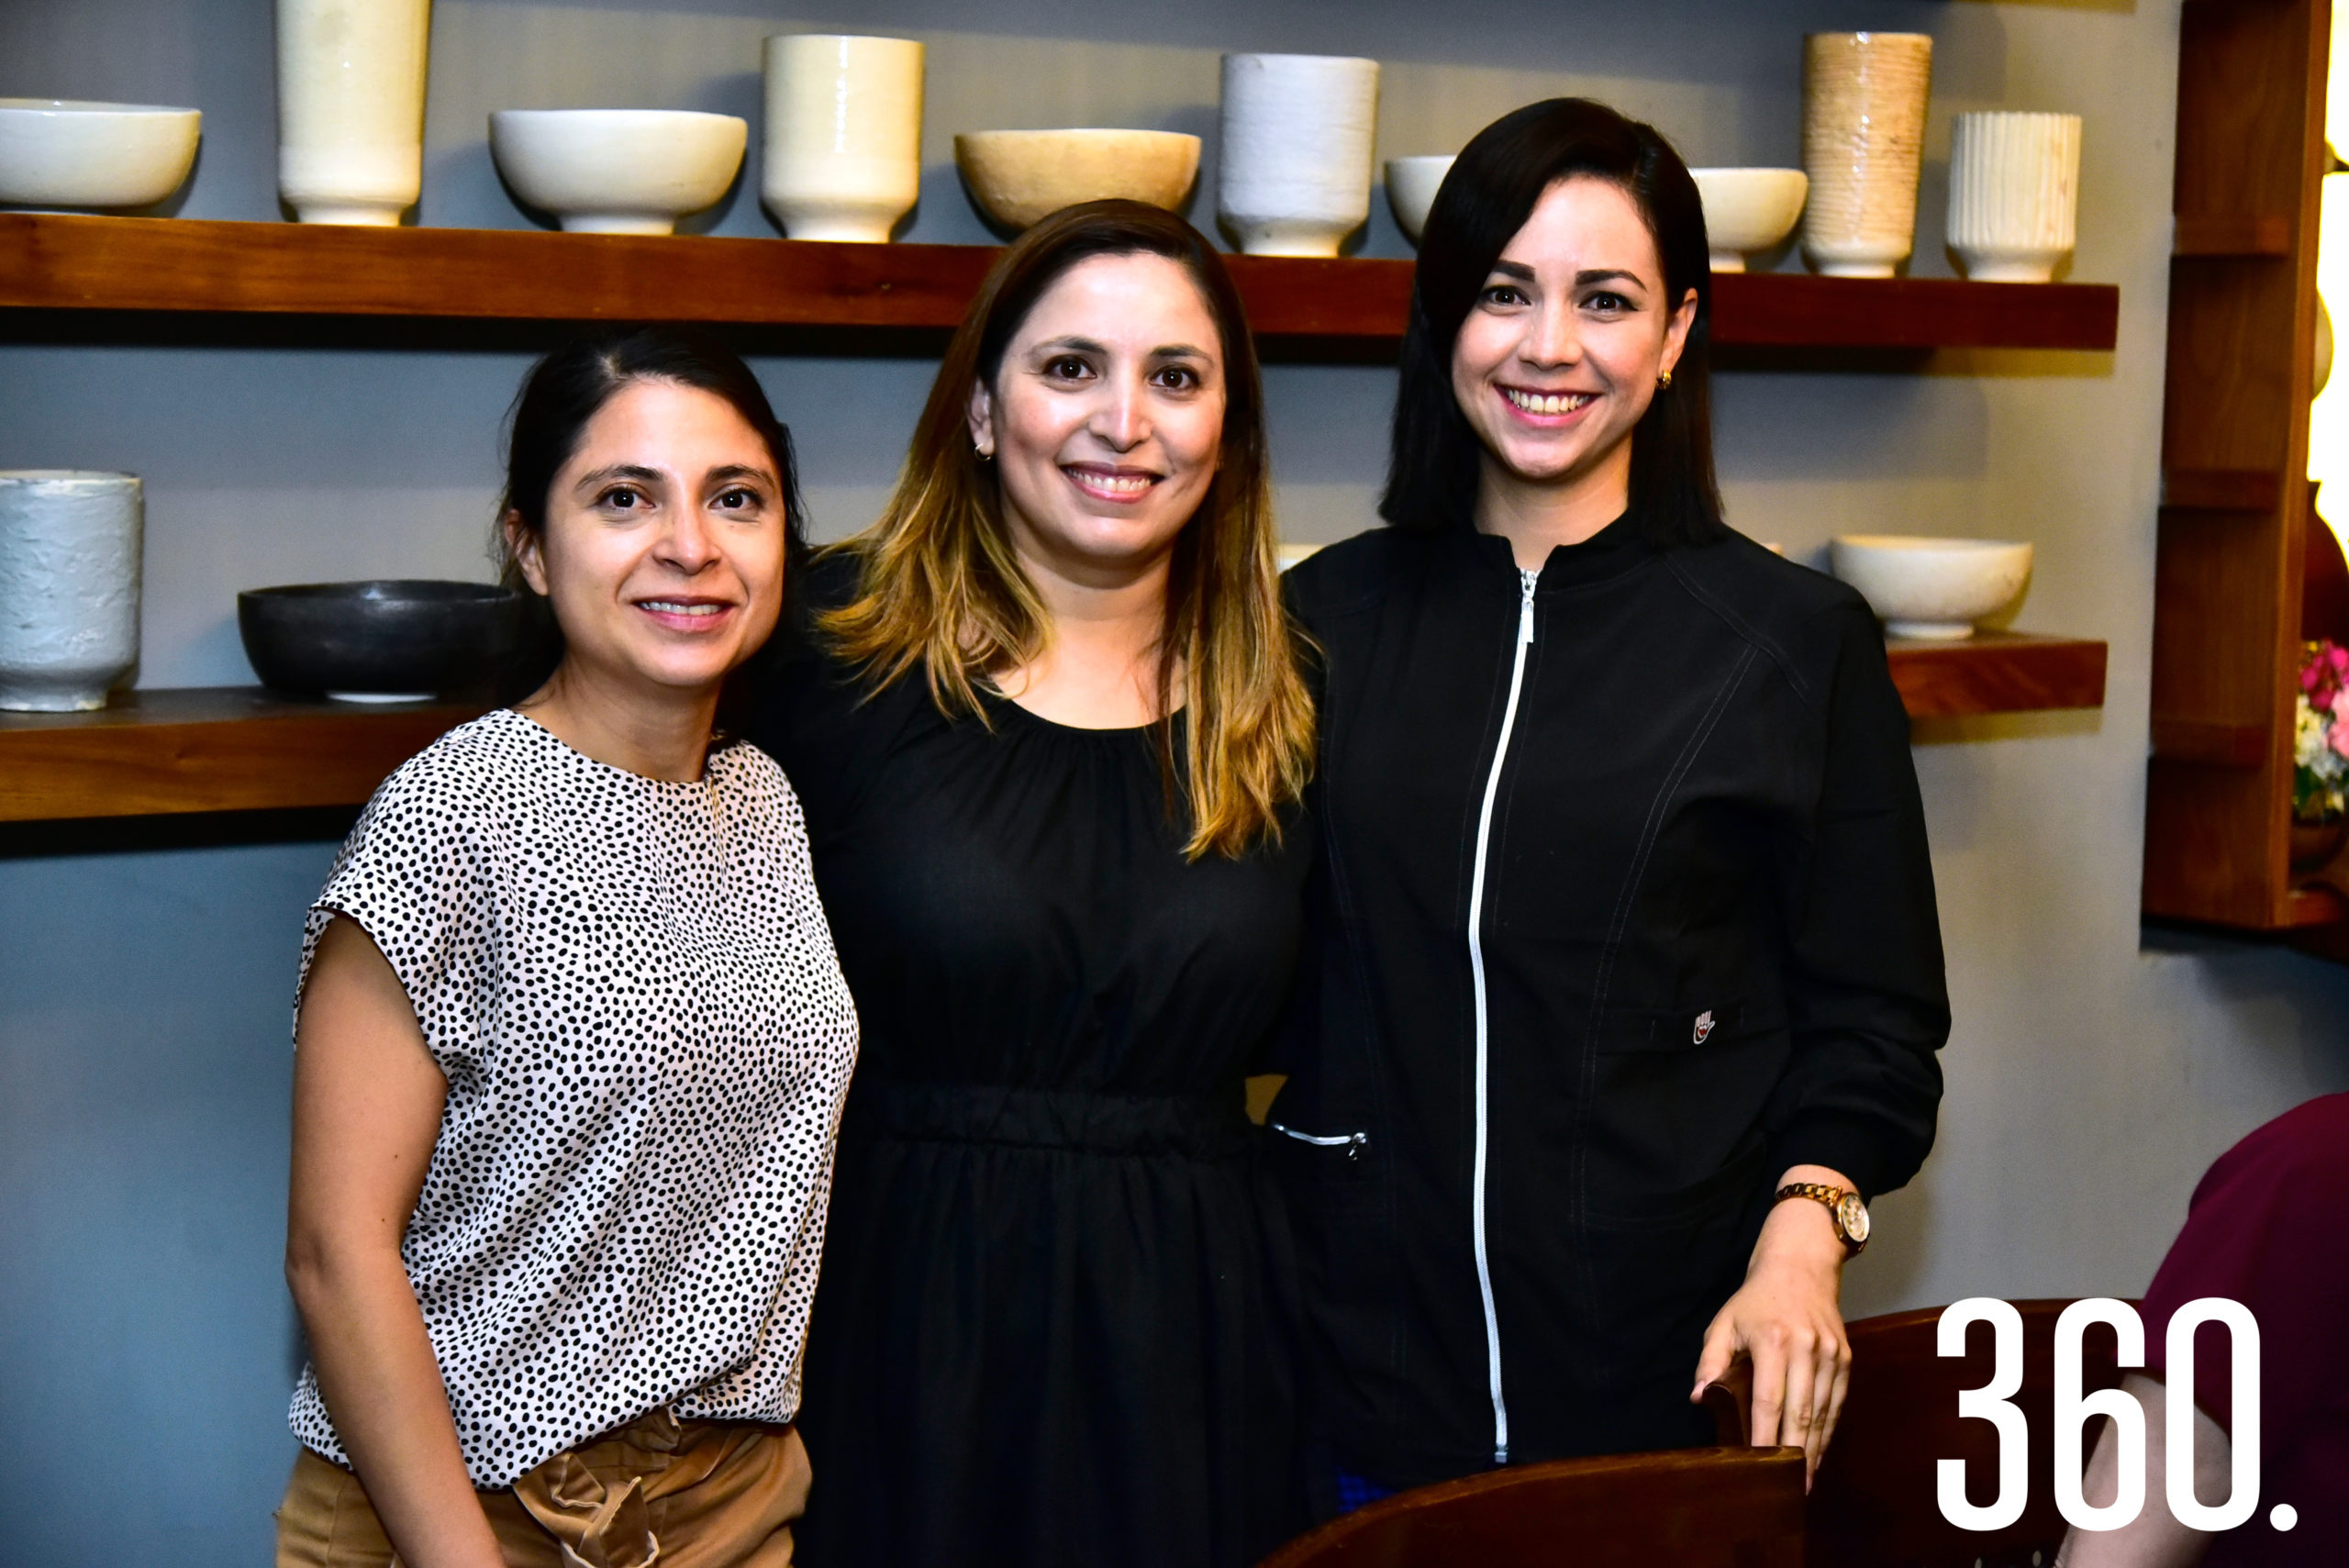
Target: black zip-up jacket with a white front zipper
x,y
1622,910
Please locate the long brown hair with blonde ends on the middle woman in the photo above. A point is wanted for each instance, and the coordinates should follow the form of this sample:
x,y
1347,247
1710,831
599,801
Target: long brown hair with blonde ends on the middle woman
x,y
943,588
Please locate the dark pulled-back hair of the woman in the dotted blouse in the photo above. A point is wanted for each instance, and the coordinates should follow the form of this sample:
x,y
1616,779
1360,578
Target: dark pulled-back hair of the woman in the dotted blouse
x,y
551,417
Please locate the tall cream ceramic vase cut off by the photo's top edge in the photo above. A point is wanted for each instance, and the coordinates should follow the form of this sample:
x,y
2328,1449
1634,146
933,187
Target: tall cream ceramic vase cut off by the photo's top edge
x,y
351,109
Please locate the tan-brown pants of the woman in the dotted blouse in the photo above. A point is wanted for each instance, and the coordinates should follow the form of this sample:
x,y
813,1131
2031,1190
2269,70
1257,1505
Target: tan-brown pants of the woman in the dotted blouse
x,y
694,1494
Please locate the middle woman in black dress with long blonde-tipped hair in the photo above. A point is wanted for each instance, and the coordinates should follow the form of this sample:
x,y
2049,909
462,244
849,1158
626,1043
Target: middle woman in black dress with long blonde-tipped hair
x,y
1051,736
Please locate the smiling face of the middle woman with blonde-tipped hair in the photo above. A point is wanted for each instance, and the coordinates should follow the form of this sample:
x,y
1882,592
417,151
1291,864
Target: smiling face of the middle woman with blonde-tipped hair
x,y
1105,419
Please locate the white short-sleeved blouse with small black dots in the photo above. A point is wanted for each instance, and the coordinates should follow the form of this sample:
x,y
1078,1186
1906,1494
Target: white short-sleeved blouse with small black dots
x,y
633,994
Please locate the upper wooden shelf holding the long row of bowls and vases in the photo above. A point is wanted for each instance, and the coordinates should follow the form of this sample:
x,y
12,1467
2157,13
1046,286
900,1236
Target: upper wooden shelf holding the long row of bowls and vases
x,y
187,266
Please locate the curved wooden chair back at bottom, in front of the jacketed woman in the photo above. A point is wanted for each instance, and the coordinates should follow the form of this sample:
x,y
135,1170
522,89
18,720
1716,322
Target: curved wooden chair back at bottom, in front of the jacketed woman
x,y
1697,1508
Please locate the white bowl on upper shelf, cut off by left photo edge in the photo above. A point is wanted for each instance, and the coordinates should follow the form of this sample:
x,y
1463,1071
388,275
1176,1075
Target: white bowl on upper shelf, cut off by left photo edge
x,y
72,154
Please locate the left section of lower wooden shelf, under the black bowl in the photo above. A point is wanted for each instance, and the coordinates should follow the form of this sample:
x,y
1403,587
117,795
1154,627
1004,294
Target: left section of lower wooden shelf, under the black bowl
x,y
208,750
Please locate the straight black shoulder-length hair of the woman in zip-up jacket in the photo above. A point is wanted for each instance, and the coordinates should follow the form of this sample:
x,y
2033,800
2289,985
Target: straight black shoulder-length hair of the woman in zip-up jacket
x,y
1483,203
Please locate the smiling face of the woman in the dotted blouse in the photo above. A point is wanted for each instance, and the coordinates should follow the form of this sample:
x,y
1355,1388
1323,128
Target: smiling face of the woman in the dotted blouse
x,y
664,543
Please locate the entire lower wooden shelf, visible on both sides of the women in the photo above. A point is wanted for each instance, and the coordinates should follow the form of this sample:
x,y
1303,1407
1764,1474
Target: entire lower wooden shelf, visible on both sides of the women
x,y
236,748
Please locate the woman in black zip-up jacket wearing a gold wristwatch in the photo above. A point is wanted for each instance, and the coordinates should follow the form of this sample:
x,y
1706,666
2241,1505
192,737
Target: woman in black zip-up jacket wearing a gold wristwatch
x,y
1624,978
